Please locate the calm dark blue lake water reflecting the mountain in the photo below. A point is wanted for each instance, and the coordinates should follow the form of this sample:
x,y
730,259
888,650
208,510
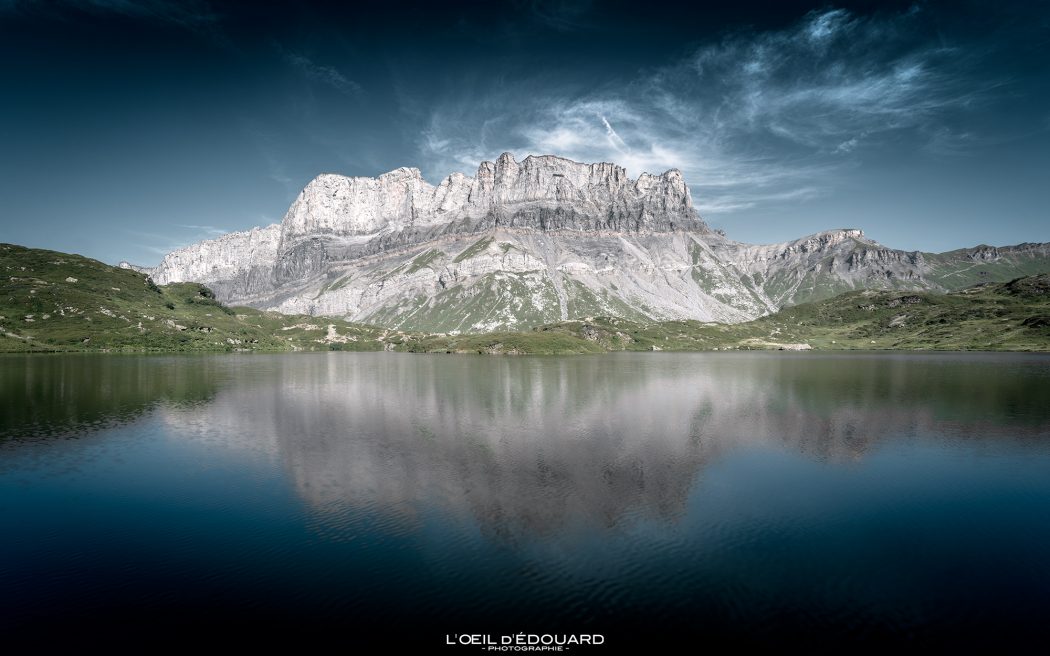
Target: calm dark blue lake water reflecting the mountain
x,y
655,499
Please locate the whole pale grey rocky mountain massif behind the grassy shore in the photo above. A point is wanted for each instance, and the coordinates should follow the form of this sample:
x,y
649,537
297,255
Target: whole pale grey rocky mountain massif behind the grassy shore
x,y
544,241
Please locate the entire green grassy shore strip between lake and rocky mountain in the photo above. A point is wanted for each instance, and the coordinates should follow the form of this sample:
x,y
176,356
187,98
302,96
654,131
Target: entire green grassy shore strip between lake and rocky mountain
x,y
53,302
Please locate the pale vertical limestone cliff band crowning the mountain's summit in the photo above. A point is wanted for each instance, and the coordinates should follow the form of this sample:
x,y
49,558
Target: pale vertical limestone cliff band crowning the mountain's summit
x,y
594,196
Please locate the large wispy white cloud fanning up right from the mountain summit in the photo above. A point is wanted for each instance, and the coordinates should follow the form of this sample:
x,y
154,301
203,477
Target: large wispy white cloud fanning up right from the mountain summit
x,y
753,120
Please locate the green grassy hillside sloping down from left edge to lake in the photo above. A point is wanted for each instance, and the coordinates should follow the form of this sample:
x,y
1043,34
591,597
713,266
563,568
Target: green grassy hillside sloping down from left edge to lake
x,y
56,302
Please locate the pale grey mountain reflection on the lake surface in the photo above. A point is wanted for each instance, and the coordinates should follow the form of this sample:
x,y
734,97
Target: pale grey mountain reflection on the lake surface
x,y
527,447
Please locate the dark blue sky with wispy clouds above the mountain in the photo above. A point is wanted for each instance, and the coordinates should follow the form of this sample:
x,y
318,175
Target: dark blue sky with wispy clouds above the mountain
x,y
130,129
